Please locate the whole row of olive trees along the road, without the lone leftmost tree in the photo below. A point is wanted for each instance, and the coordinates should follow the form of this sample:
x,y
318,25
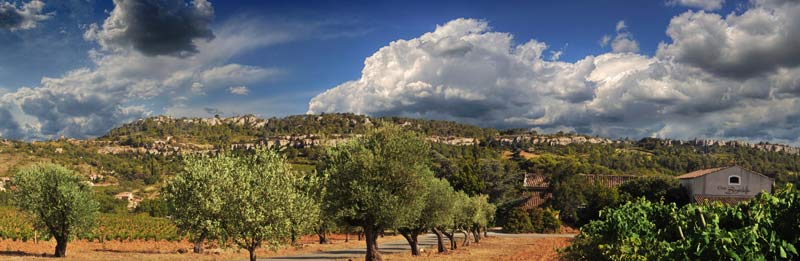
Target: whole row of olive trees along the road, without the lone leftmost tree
x,y
380,181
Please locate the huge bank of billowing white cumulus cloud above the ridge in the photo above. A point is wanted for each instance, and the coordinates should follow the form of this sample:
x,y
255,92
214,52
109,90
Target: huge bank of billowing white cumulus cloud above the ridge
x,y
464,71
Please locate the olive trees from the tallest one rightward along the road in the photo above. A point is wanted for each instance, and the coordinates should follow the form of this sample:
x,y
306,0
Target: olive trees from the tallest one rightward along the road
x,y
384,180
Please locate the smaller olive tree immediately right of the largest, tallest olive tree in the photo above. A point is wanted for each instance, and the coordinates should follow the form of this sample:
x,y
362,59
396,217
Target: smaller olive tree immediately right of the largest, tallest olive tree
x,y
436,212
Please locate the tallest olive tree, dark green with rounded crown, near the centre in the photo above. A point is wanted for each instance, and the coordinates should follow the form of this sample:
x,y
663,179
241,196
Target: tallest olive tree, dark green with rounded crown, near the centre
x,y
377,181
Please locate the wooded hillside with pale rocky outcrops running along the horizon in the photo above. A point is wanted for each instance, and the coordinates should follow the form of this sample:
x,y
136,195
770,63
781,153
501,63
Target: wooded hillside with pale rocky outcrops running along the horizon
x,y
140,154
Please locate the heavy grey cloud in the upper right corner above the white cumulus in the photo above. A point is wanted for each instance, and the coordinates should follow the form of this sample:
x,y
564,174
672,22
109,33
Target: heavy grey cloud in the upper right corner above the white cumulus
x,y
741,46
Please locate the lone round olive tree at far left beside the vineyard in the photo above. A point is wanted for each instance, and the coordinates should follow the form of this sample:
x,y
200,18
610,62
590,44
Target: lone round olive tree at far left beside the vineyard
x,y
58,200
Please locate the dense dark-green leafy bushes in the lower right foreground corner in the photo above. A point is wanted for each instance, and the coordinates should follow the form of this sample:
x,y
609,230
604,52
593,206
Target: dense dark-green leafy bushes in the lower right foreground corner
x,y
764,228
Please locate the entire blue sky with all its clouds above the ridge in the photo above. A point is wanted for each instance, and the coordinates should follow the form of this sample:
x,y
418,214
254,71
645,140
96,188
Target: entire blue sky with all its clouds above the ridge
x,y
80,67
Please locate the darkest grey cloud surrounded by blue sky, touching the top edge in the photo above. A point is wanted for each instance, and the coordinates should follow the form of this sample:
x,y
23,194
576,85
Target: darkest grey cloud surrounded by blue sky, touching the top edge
x,y
156,27
